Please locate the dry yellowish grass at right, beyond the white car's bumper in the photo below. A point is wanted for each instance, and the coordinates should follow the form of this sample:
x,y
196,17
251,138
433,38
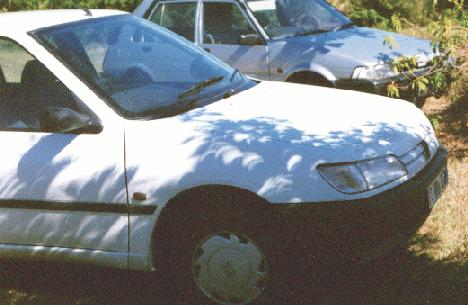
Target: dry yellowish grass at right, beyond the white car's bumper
x,y
444,236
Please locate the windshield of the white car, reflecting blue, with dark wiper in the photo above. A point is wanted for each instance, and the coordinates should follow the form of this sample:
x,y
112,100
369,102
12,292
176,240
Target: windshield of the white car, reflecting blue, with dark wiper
x,y
141,69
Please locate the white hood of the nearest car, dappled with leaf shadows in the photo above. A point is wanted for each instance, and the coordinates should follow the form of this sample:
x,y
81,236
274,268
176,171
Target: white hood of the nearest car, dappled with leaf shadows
x,y
340,125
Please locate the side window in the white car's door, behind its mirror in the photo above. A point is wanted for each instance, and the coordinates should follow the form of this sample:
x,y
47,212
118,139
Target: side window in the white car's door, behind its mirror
x,y
27,89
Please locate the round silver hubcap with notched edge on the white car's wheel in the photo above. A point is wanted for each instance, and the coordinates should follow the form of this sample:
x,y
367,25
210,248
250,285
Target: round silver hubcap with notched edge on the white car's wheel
x,y
229,268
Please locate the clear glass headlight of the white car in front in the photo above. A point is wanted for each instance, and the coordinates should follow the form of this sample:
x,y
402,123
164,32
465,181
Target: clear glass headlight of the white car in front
x,y
352,178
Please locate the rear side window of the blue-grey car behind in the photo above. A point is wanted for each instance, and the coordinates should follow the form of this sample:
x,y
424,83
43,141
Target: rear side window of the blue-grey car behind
x,y
178,17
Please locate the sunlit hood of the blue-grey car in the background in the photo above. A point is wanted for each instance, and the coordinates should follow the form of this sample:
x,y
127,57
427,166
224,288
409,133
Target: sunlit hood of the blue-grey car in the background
x,y
366,45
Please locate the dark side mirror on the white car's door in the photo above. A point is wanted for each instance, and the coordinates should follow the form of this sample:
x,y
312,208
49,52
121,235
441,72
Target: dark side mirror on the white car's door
x,y
66,120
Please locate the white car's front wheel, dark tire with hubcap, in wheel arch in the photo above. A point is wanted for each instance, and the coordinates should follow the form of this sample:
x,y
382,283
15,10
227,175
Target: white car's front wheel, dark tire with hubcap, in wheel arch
x,y
219,254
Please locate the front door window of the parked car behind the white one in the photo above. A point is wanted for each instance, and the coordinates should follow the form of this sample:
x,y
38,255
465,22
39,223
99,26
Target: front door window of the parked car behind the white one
x,y
224,23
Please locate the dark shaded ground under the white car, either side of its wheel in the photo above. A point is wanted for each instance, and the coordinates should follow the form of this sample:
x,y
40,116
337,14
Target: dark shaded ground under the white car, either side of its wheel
x,y
400,278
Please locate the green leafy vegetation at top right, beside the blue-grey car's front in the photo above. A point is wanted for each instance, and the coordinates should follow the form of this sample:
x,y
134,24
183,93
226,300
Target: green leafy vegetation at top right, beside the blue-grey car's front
x,y
443,21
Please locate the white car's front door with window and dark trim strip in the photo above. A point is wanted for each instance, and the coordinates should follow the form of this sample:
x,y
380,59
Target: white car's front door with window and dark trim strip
x,y
58,189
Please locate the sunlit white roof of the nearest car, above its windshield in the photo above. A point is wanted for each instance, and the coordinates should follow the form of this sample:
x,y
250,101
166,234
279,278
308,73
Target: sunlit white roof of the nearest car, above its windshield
x,y
26,21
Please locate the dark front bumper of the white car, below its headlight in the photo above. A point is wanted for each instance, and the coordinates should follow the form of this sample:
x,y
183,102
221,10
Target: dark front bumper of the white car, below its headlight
x,y
361,230
